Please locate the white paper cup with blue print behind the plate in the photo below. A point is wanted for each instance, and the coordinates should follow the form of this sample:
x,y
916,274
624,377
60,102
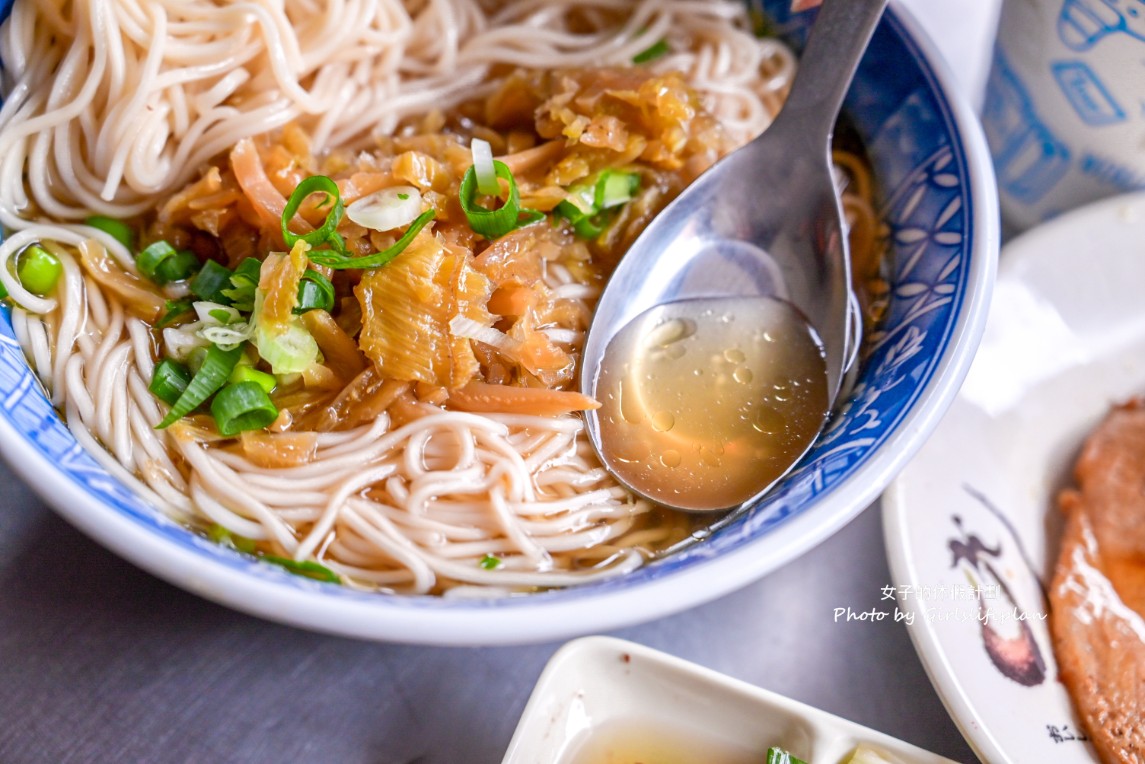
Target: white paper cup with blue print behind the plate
x,y
1065,105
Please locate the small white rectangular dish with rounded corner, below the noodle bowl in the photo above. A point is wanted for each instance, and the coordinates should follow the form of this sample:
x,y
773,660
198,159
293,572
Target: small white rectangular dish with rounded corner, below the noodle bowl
x,y
602,695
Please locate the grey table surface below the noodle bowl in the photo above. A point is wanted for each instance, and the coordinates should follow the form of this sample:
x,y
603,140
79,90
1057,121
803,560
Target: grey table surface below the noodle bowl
x,y
102,663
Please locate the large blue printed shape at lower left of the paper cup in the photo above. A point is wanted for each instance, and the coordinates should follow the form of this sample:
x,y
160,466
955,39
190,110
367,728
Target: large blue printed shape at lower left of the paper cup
x,y
1028,156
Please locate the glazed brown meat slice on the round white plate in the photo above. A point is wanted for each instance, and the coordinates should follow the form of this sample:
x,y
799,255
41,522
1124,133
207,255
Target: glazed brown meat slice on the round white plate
x,y
1099,590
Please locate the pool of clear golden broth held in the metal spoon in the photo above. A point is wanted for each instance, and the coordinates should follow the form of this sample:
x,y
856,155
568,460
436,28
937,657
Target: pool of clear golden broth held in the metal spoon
x,y
708,403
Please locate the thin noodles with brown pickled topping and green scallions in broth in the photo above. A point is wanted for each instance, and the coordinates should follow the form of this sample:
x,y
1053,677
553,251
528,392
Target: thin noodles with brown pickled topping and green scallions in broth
x,y
321,298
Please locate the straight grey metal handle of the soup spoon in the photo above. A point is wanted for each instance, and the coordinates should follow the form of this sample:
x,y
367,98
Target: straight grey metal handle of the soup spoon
x,y
830,61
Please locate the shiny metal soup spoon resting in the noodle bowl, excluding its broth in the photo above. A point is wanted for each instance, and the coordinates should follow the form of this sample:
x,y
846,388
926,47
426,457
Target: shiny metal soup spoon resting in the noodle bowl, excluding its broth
x,y
767,222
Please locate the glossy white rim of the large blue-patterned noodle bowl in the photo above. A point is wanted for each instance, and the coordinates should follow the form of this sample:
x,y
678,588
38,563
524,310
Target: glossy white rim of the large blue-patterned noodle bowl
x,y
530,619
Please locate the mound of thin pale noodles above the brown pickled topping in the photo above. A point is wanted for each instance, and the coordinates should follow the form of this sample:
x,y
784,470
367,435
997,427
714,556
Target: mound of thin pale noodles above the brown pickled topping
x,y
133,99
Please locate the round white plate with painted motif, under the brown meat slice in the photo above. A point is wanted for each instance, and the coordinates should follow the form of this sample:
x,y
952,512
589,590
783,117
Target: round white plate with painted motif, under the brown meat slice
x,y
1064,342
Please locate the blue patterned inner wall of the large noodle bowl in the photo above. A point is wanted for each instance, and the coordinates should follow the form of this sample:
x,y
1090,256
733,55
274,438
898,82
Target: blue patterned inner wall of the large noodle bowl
x,y
915,141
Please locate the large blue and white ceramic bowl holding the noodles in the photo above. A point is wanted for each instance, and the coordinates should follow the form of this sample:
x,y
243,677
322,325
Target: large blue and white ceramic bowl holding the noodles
x,y
938,198
